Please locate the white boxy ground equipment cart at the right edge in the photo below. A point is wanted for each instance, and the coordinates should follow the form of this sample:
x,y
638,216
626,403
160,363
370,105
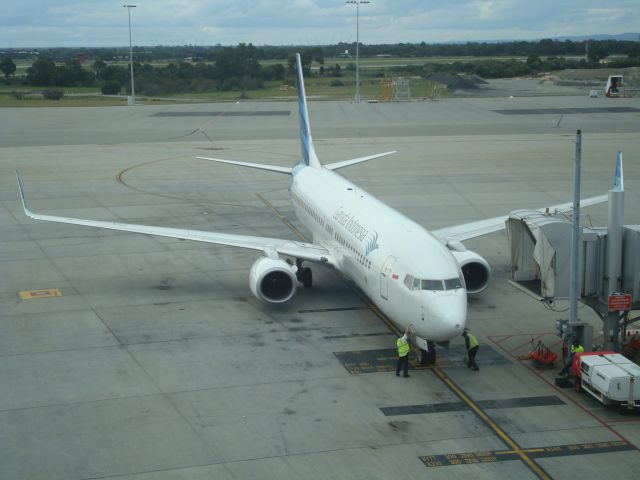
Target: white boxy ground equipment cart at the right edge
x,y
611,378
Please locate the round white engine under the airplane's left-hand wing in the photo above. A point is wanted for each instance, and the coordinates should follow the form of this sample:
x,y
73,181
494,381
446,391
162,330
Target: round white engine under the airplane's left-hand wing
x,y
273,280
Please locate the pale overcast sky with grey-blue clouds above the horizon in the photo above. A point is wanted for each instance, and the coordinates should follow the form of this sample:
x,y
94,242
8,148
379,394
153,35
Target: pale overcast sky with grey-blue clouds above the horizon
x,y
88,23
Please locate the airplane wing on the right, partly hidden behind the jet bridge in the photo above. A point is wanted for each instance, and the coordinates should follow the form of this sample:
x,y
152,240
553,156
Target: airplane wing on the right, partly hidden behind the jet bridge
x,y
483,227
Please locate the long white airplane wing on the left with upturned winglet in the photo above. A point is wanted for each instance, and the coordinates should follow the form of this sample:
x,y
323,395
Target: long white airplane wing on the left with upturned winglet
x,y
302,250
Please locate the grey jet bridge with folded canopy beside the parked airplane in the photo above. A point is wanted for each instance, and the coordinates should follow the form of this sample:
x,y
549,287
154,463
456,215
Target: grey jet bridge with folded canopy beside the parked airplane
x,y
540,245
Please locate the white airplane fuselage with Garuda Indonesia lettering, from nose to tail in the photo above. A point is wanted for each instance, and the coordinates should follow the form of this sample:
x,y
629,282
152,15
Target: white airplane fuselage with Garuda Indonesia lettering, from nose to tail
x,y
409,274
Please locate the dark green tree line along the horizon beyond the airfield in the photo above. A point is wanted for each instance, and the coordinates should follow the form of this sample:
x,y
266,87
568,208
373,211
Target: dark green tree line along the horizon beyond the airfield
x,y
239,68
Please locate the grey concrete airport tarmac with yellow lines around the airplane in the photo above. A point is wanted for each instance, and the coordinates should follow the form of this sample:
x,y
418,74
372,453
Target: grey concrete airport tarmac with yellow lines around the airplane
x,y
136,357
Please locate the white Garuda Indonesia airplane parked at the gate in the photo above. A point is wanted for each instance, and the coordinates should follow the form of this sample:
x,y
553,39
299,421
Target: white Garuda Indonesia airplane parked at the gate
x,y
412,275
